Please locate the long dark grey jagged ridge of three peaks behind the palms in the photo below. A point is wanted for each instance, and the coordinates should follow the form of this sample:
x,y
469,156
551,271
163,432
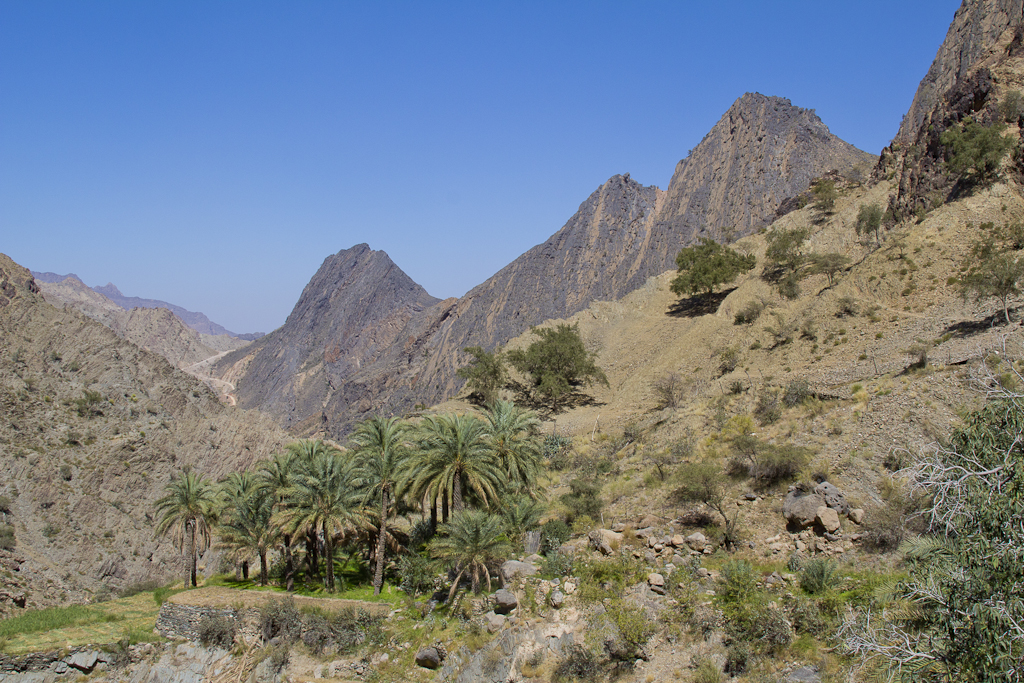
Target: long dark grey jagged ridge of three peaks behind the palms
x,y
761,152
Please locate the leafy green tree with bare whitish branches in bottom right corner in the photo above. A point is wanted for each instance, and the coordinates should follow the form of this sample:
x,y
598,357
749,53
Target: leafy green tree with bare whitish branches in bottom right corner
x,y
960,616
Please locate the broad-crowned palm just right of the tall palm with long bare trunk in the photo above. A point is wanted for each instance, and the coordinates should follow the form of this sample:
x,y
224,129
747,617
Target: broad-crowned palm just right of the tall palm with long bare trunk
x,y
454,454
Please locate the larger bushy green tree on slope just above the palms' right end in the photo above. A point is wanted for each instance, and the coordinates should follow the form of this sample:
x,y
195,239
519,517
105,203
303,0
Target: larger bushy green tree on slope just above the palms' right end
x,y
558,363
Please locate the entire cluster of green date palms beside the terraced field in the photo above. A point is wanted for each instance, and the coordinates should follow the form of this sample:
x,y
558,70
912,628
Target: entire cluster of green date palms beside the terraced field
x,y
472,479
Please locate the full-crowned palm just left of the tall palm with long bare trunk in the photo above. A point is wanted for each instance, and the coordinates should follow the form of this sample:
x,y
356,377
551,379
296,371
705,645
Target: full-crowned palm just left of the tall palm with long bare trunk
x,y
324,499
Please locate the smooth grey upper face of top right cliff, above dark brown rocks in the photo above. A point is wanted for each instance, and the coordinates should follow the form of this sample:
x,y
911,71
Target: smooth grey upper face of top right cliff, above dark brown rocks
x,y
977,27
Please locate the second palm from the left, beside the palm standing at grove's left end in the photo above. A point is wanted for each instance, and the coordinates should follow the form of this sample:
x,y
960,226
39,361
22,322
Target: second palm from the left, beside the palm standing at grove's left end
x,y
247,524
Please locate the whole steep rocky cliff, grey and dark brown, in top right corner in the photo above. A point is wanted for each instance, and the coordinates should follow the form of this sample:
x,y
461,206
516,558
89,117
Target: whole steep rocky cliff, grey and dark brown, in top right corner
x,y
980,62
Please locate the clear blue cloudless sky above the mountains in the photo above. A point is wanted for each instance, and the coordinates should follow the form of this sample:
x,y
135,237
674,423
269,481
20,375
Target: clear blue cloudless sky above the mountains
x,y
214,154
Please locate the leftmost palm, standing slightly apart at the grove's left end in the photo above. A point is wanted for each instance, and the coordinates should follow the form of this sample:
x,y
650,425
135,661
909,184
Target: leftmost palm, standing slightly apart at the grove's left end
x,y
187,513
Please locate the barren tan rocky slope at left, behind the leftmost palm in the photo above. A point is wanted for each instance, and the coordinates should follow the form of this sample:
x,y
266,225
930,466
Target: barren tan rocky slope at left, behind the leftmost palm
x,y
93,429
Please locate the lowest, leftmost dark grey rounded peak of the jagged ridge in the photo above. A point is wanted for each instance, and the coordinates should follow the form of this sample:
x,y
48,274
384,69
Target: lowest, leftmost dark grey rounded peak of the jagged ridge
x,y
350,316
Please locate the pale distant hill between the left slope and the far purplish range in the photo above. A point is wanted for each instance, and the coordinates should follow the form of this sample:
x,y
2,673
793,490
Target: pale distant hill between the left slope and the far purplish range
x,y
157,329
